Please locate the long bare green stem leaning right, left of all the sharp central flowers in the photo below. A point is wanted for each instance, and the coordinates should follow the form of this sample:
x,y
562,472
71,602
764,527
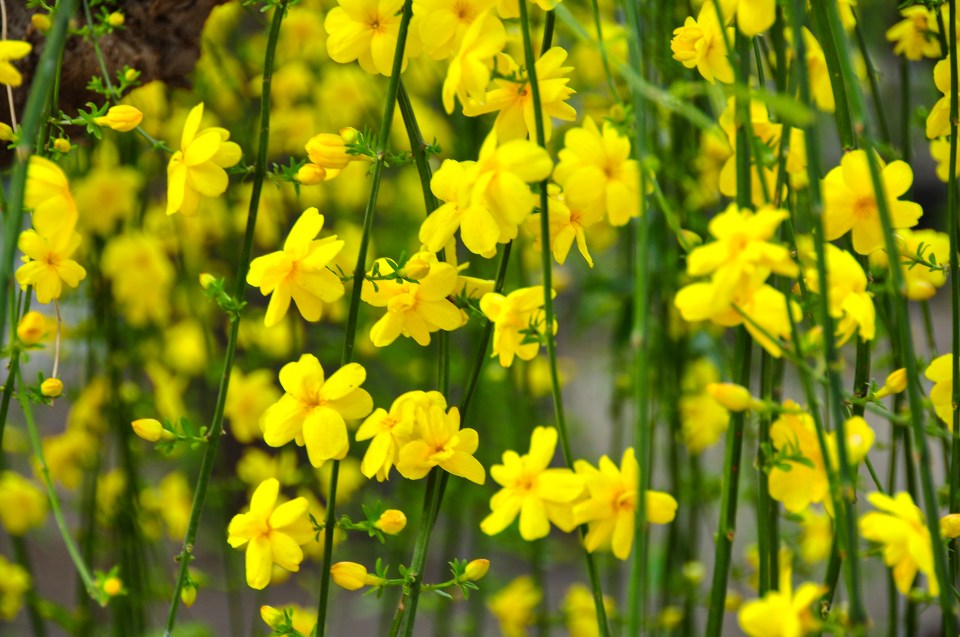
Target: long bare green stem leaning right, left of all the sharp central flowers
x,y
216,427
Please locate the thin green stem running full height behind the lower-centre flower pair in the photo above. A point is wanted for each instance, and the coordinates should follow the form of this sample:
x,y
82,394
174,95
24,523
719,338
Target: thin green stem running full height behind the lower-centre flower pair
x,y
547,262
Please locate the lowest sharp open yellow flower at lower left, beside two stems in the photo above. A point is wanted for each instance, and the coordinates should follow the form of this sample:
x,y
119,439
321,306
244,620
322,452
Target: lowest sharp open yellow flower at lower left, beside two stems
x,y
265,530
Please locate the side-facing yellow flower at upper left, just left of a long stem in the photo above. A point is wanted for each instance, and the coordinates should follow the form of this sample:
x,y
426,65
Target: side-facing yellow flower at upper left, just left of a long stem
x,y
198,167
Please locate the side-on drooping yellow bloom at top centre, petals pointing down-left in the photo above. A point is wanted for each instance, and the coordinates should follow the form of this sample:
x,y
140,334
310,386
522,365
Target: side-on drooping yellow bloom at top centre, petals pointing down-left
x,y
469,71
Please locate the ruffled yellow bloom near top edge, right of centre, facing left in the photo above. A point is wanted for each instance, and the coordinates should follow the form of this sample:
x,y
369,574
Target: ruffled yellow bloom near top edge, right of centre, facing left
x,y
700,43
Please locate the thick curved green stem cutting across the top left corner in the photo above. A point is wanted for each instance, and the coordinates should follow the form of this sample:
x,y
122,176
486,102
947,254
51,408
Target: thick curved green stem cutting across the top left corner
x,y
33,115
